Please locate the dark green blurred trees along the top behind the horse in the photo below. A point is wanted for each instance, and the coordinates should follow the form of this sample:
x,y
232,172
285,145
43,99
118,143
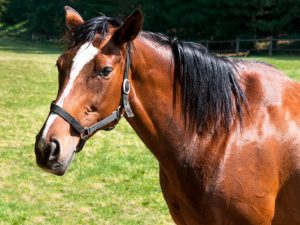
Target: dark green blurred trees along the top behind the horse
x,y
194,19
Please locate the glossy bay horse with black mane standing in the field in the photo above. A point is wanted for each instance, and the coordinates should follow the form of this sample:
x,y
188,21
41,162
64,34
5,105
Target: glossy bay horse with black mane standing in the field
x,y
224,131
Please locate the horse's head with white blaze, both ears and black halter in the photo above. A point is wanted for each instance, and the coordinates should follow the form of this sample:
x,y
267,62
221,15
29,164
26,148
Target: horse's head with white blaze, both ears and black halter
x,y
93,86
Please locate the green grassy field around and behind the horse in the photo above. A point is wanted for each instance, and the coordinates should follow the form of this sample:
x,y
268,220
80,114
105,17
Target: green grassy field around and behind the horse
x,y
114,180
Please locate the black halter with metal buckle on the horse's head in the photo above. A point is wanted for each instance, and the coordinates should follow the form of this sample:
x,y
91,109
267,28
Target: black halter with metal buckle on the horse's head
x,y
86,132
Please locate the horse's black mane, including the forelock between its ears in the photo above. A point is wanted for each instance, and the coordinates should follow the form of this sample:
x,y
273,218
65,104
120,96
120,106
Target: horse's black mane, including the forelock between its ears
x,y
209,89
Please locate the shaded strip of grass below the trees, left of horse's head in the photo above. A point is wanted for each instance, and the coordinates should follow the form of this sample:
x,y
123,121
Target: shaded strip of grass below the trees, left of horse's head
x,y
27,46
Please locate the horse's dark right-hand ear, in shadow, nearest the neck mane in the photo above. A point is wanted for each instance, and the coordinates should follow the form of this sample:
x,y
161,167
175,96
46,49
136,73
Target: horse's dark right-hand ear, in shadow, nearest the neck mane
x,y
130,28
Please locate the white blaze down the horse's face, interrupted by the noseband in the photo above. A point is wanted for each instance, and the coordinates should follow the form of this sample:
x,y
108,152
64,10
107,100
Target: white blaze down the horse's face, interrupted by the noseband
x,y
83,56
